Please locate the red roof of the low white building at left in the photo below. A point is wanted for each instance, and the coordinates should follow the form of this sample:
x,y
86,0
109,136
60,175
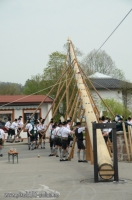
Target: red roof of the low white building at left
x,y
24,99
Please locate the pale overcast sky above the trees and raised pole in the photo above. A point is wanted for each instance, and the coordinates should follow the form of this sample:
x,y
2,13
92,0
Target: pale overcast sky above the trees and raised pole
x,y
30,30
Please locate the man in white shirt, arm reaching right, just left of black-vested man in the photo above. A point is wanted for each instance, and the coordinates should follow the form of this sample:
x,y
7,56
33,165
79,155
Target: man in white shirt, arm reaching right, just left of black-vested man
x,y
64,133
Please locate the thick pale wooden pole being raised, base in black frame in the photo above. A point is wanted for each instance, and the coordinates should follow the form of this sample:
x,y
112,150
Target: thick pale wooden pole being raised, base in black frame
x,y
104,160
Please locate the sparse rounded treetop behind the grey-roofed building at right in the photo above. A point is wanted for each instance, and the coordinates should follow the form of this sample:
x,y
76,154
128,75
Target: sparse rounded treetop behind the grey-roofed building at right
x,y
101,62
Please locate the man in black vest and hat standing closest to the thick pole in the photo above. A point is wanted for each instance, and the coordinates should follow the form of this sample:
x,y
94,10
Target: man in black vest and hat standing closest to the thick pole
x,y
79,135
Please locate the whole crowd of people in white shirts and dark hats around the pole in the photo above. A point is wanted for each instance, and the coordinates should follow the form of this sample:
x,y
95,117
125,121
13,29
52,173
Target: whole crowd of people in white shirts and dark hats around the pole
x,y
60,134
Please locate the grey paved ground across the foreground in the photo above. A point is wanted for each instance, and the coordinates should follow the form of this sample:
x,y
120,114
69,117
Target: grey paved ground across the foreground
x,y
71,180
